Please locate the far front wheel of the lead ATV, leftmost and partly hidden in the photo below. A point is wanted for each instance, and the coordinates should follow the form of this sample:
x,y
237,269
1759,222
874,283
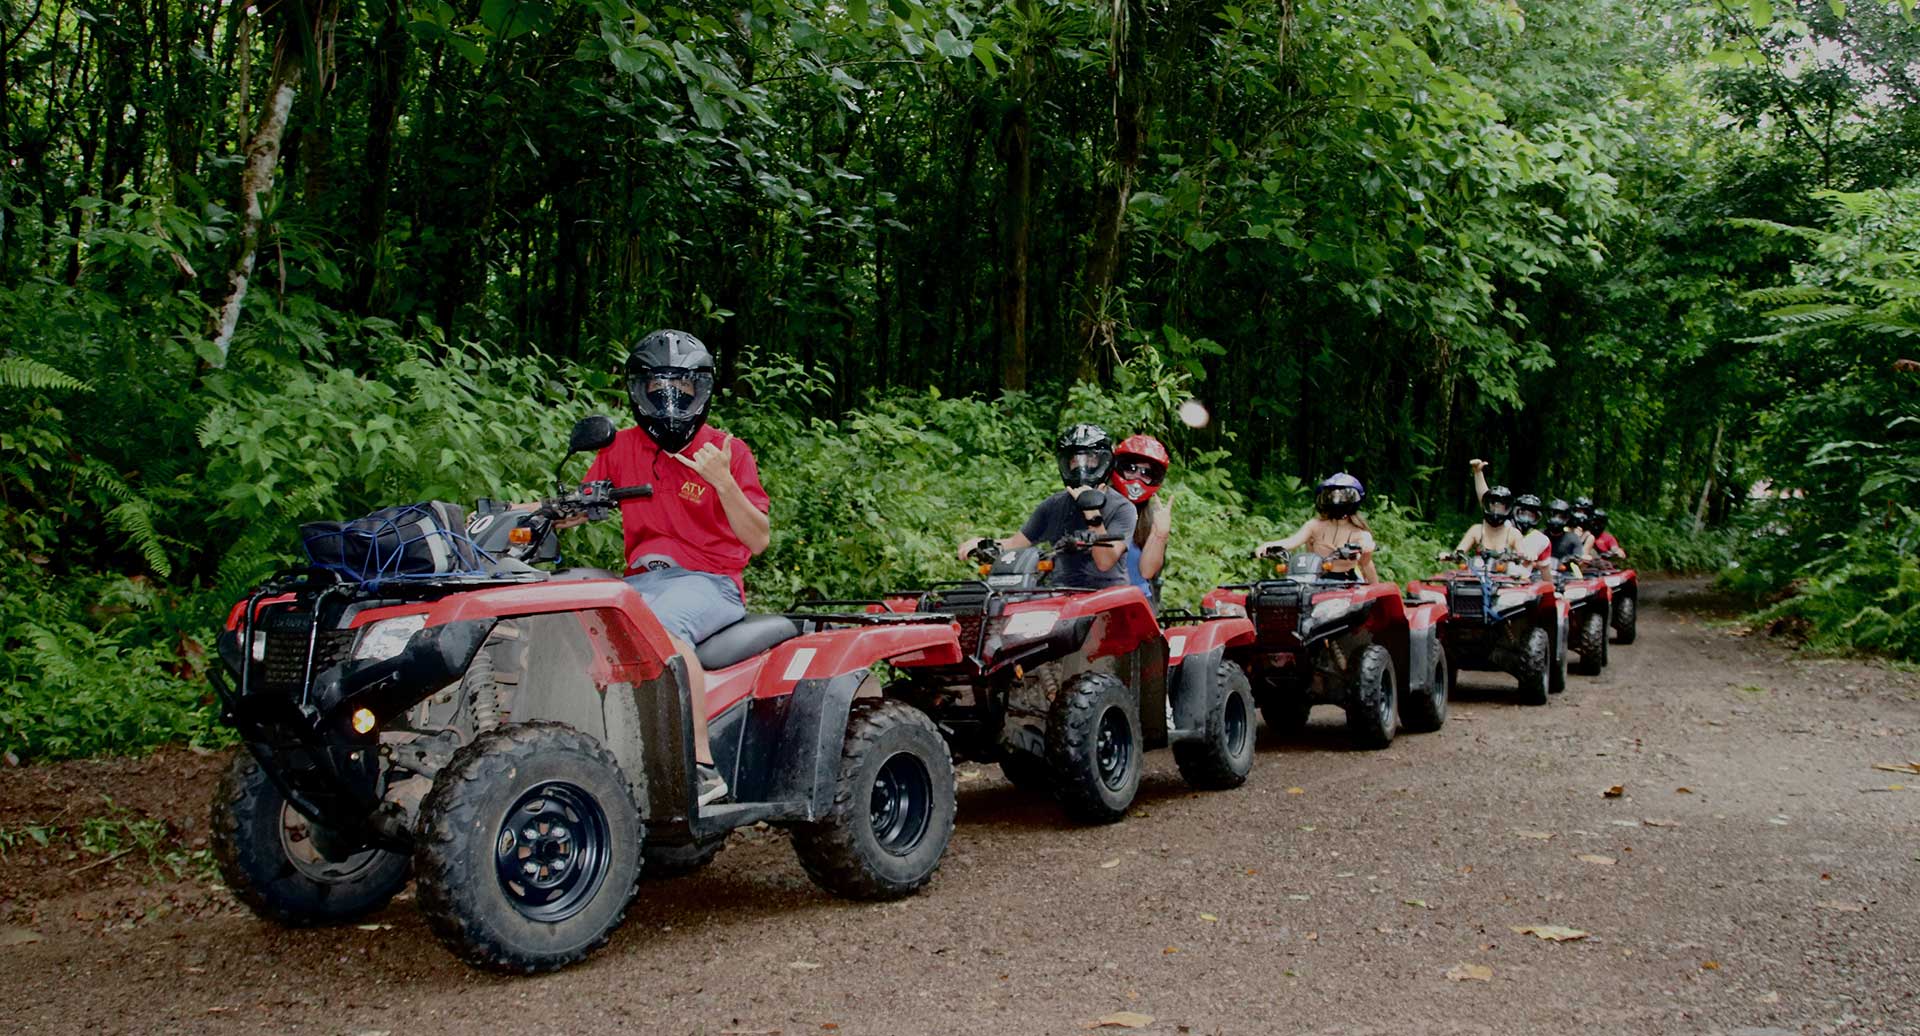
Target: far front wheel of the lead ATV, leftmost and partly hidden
x,y
289,868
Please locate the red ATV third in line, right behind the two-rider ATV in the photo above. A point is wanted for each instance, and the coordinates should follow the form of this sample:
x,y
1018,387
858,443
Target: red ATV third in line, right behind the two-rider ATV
x,y
1326,638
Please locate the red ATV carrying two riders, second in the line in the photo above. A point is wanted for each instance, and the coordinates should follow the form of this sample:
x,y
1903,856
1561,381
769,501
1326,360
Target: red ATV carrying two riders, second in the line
x,y
1068,688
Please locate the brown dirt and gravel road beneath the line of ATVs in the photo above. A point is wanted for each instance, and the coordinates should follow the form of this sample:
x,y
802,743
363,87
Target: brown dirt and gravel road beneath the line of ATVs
x,y
1754,878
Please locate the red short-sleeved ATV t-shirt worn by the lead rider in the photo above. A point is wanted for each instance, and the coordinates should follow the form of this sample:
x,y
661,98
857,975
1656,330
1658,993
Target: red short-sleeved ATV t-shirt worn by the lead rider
x,y
683,519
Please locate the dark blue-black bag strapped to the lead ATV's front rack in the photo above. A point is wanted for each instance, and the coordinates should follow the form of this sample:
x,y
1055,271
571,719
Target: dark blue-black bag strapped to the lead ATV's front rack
x,y
395,542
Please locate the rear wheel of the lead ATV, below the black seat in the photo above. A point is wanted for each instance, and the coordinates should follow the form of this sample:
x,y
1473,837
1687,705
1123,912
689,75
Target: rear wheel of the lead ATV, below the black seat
x,y
894,807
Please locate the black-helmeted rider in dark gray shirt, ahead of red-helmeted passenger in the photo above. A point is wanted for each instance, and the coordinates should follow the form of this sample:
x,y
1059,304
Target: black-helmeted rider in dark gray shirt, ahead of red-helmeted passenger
x,y
1086,456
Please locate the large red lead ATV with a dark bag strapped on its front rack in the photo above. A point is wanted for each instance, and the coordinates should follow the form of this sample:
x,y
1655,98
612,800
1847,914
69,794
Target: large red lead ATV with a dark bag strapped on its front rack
x,y
519,742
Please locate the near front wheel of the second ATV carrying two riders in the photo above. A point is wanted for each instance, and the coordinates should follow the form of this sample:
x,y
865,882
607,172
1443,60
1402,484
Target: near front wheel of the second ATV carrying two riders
x,y
1093,747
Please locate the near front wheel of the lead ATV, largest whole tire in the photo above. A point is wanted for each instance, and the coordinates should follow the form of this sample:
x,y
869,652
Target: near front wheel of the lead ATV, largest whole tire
x,y
529,849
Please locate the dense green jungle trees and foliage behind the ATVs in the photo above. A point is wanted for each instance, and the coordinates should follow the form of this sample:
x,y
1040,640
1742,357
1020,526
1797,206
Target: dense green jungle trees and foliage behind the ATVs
x,y
289,260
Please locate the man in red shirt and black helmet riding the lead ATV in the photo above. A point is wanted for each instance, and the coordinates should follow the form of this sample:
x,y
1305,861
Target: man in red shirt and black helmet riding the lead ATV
x,y
690,542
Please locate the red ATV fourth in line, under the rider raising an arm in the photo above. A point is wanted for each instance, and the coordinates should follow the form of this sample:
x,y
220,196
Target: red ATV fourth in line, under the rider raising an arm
x,y
1500,617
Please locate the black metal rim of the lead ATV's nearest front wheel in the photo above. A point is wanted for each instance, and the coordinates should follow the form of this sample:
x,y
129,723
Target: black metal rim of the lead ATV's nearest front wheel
x,y
552,851
